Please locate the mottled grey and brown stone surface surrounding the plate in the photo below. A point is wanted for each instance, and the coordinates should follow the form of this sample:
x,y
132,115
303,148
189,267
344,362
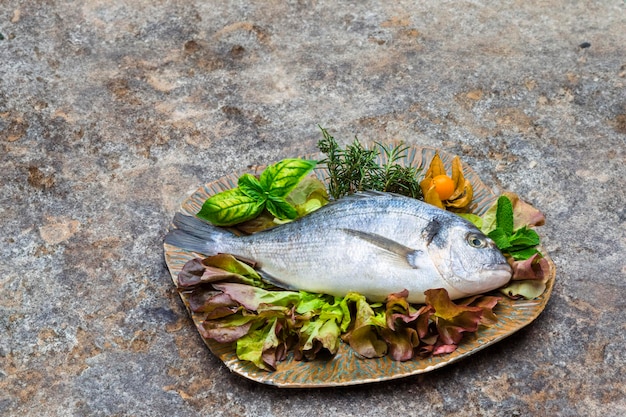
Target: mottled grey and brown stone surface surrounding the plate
x,y
112,112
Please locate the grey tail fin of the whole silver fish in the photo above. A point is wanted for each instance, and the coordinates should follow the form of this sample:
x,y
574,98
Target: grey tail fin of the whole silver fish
x,y
195,235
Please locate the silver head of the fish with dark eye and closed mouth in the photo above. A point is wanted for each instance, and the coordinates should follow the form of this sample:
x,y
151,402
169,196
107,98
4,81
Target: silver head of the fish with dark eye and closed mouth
x,y
469,261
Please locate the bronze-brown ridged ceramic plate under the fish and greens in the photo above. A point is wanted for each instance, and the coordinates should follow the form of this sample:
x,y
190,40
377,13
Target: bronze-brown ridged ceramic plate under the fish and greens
x,y
346,367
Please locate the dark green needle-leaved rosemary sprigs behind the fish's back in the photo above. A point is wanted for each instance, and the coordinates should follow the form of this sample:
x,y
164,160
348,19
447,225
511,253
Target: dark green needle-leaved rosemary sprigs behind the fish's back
x,y
355,168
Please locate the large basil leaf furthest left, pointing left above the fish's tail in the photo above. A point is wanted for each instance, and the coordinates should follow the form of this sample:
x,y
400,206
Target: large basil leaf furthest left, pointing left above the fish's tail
x,y
230,207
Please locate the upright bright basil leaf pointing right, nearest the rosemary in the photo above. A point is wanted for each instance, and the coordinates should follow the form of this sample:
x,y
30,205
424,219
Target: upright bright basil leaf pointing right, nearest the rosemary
x,y
279,179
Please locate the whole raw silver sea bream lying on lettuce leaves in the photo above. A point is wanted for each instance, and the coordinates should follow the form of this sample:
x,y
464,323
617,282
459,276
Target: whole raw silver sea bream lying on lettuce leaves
x,y
371,243
